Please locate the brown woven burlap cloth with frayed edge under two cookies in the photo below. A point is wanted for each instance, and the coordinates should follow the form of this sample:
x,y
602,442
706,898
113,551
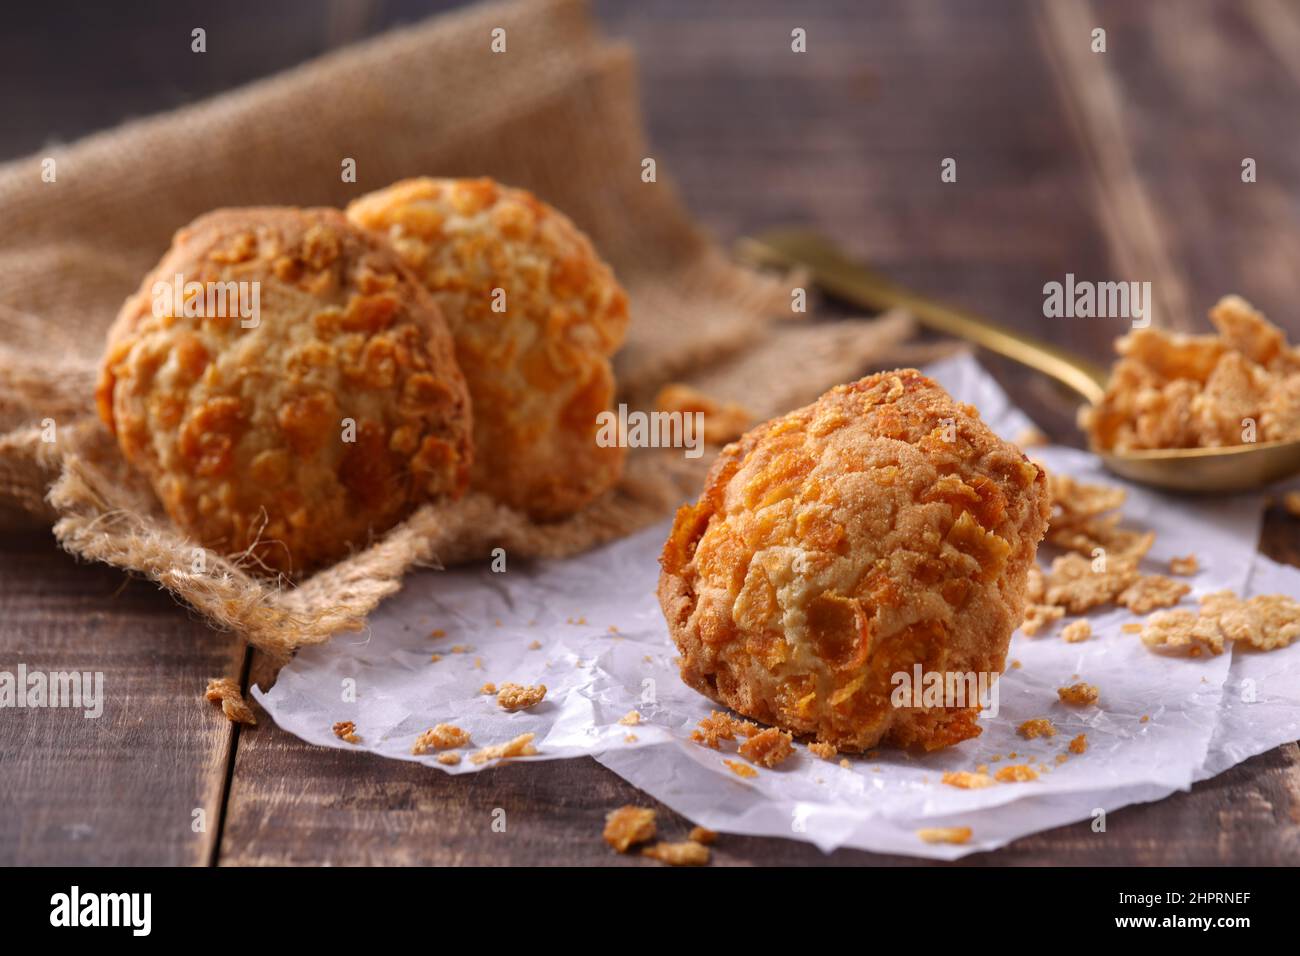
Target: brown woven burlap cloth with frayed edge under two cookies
x,y
556,115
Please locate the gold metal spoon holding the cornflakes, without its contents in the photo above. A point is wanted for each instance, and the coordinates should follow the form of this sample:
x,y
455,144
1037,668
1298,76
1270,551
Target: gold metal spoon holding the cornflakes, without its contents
x,y
1236,469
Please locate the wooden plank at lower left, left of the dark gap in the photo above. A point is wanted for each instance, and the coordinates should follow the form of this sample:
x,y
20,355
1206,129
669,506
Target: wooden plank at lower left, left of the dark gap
x,y
120,789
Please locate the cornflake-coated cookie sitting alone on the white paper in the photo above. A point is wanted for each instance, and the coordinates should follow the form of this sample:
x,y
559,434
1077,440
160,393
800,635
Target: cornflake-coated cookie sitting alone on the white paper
x,y
882,527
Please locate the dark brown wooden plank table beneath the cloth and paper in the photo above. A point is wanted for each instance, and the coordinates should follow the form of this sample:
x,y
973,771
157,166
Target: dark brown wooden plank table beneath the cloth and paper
x,y
1117,166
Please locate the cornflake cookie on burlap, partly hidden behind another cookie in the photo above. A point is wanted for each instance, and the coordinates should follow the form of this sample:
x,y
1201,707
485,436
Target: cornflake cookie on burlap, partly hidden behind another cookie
x,y
536,317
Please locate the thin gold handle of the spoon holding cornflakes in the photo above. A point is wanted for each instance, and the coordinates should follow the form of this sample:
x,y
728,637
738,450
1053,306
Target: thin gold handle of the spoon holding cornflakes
x,y
868,289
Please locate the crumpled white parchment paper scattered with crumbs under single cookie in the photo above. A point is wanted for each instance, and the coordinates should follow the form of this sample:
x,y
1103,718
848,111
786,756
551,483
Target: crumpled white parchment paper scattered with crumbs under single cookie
x,y
592,631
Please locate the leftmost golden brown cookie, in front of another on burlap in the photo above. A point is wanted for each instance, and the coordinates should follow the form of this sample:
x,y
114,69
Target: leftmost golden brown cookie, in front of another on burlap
x,y
297,430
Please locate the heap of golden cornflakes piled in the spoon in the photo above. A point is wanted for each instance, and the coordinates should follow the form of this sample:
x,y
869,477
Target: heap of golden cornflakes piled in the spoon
x,y
1173,391
